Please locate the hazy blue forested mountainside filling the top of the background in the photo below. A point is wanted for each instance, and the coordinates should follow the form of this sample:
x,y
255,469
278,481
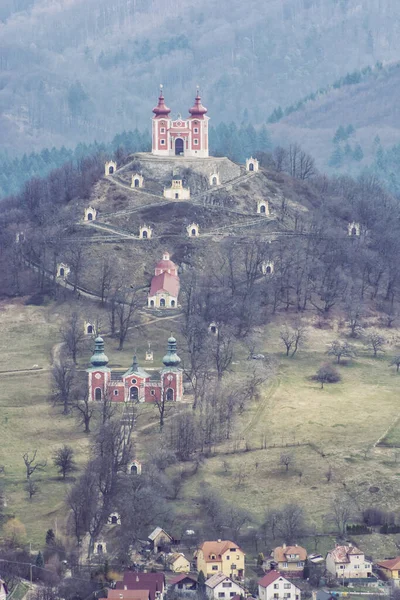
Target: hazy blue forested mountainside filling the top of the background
x,y
86,69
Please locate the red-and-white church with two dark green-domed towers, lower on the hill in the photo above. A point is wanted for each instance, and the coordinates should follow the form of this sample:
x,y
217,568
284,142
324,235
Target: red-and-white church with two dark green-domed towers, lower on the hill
x,y
135,385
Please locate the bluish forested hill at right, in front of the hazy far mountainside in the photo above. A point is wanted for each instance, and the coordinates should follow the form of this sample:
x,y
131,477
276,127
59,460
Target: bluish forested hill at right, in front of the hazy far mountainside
x,y
348,125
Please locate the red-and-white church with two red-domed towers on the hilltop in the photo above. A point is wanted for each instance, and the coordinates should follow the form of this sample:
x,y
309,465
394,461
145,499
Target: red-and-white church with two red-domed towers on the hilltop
x,y
180,137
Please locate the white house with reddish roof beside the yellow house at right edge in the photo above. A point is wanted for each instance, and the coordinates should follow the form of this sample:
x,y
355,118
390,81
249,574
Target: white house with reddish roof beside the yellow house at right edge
x,y
347,563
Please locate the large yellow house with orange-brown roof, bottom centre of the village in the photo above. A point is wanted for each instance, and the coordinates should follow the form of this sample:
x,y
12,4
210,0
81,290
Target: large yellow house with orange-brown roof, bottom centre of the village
x,y
221,556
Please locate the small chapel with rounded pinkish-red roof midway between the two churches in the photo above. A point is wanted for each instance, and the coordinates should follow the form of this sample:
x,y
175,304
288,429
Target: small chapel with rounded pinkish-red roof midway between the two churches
x,y
164,288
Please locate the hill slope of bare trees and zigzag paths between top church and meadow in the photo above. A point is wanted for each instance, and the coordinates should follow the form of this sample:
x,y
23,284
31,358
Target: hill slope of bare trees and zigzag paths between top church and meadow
x,y
317,266
